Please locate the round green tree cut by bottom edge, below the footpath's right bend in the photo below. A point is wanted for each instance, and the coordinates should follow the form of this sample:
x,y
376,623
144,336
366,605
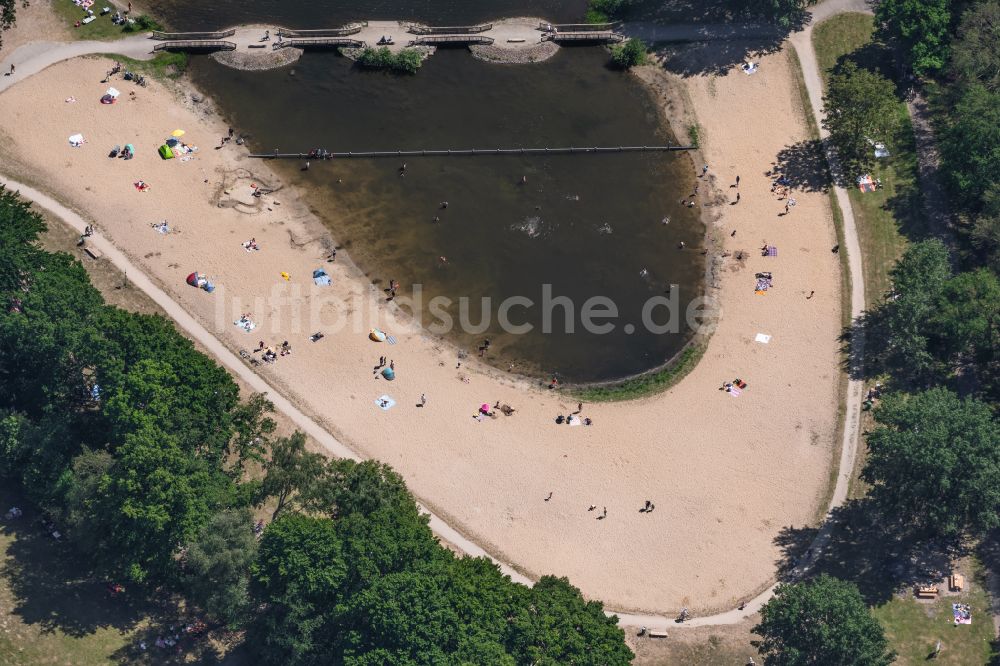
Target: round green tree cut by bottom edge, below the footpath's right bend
x,y
822,621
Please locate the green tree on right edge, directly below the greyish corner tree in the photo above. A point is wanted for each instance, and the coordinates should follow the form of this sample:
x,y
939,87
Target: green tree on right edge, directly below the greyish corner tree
x,y
970,146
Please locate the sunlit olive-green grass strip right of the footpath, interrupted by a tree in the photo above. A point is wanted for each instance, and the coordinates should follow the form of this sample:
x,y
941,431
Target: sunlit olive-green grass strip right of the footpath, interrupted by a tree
x,y
887,219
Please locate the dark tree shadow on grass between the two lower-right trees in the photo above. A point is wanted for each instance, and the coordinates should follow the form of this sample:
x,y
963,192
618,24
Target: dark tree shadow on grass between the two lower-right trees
x,y
881,556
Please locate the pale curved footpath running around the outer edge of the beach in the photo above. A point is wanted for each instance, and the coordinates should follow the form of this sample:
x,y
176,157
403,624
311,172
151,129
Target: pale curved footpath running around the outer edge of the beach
x,y
34,57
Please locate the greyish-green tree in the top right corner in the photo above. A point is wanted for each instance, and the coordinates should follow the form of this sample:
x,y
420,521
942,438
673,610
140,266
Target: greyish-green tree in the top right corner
x,y
975,53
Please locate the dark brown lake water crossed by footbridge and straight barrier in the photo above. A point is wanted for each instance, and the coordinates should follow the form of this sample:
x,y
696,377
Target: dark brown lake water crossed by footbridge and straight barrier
x,y
585,225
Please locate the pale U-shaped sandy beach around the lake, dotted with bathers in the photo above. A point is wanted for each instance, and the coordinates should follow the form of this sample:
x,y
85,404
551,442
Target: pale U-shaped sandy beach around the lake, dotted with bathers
x,y
726,474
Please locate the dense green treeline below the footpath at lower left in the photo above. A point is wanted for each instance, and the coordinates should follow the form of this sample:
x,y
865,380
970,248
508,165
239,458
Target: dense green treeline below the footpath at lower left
x,y
137,447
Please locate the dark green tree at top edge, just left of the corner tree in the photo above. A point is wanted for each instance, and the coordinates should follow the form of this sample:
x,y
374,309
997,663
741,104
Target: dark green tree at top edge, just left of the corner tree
x,y
920,27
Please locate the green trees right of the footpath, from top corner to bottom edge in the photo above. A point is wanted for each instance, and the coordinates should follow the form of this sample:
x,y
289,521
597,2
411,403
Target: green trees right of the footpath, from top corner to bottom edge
x,y
933,459
